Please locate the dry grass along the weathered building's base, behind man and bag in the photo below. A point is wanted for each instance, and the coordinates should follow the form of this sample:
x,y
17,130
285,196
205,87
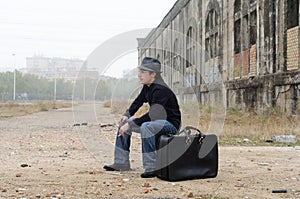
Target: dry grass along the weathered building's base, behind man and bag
x,y
237,125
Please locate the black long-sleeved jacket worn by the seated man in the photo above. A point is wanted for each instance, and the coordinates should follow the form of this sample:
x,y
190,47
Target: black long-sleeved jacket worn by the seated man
x,y
163,105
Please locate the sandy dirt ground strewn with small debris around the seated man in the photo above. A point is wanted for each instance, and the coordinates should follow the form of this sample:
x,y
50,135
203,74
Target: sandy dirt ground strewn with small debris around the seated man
x,y
55,154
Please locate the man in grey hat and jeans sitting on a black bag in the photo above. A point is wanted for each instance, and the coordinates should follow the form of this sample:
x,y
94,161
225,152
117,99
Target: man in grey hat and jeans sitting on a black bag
x,y
164,117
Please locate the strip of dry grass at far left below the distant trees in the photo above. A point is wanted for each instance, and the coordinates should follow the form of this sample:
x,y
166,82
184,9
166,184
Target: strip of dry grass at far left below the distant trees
x,y
12,109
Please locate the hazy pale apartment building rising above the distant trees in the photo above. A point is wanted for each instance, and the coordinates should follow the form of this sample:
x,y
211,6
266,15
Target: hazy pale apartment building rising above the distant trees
x,y
67,69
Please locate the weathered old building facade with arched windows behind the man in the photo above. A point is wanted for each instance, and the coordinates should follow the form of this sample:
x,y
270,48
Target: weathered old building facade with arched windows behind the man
x,y
251,47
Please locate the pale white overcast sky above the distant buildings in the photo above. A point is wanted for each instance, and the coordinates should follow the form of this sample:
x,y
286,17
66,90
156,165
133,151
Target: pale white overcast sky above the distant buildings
x,y
69,28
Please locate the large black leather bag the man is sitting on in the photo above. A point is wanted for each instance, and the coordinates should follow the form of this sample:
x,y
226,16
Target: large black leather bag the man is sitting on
x,y
188,156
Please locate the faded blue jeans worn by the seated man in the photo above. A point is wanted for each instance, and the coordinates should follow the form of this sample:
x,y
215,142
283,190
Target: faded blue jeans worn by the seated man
x,y
148,130
